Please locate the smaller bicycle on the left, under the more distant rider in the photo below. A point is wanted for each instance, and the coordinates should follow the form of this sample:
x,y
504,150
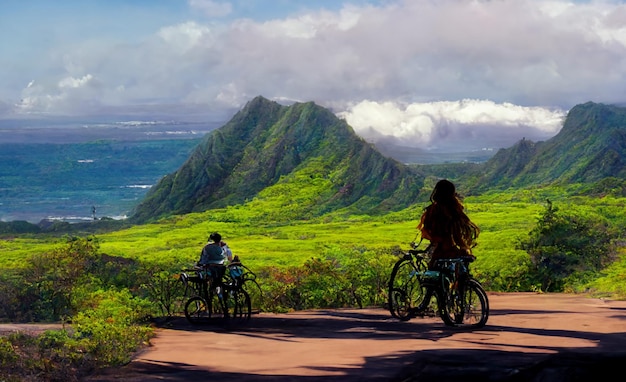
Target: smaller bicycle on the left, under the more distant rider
x,y
215,298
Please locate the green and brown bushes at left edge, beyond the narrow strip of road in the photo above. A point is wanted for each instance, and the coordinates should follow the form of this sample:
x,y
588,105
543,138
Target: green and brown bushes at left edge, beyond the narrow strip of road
x,y
56,284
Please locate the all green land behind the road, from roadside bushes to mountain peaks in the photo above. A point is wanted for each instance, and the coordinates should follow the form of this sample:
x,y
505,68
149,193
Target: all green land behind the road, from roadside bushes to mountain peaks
x,y
320,216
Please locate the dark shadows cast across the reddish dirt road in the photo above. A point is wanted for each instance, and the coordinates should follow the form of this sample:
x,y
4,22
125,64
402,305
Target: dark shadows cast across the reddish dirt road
x,y
471,362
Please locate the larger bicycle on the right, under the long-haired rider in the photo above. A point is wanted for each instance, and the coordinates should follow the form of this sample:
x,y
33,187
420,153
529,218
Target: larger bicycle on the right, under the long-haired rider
x,y
461,300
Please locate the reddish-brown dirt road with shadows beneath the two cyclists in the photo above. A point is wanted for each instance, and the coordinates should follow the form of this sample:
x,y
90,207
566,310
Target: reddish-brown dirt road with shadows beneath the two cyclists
x,y
529,337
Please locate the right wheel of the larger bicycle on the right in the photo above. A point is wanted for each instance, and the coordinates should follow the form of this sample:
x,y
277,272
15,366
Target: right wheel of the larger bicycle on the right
x,y
466,306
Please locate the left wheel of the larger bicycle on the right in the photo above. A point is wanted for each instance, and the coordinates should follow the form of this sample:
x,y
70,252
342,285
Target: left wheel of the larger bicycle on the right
x,y
405,288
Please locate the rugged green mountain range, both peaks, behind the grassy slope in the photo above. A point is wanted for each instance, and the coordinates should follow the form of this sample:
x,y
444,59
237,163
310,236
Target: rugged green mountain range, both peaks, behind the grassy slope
x,y
266,144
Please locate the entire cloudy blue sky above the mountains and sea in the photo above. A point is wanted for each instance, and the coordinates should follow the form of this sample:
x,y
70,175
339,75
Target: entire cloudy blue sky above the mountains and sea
x,y
422,73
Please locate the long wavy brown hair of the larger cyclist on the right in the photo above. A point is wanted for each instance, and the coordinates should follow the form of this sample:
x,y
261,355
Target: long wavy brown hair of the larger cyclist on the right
x,y
445,217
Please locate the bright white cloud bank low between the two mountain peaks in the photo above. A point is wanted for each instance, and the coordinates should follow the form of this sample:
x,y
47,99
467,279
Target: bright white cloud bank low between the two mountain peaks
x,y
473,123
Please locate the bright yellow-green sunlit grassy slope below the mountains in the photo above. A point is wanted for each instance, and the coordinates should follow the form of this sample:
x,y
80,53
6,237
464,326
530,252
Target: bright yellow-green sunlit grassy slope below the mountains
x,y
264,232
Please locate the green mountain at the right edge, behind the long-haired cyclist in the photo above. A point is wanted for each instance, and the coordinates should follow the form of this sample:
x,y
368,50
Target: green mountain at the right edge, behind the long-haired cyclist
x,y
591,146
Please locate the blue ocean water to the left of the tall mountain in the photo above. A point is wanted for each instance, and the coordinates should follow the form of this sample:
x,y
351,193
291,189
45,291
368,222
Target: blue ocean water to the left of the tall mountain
x,y
77,171
